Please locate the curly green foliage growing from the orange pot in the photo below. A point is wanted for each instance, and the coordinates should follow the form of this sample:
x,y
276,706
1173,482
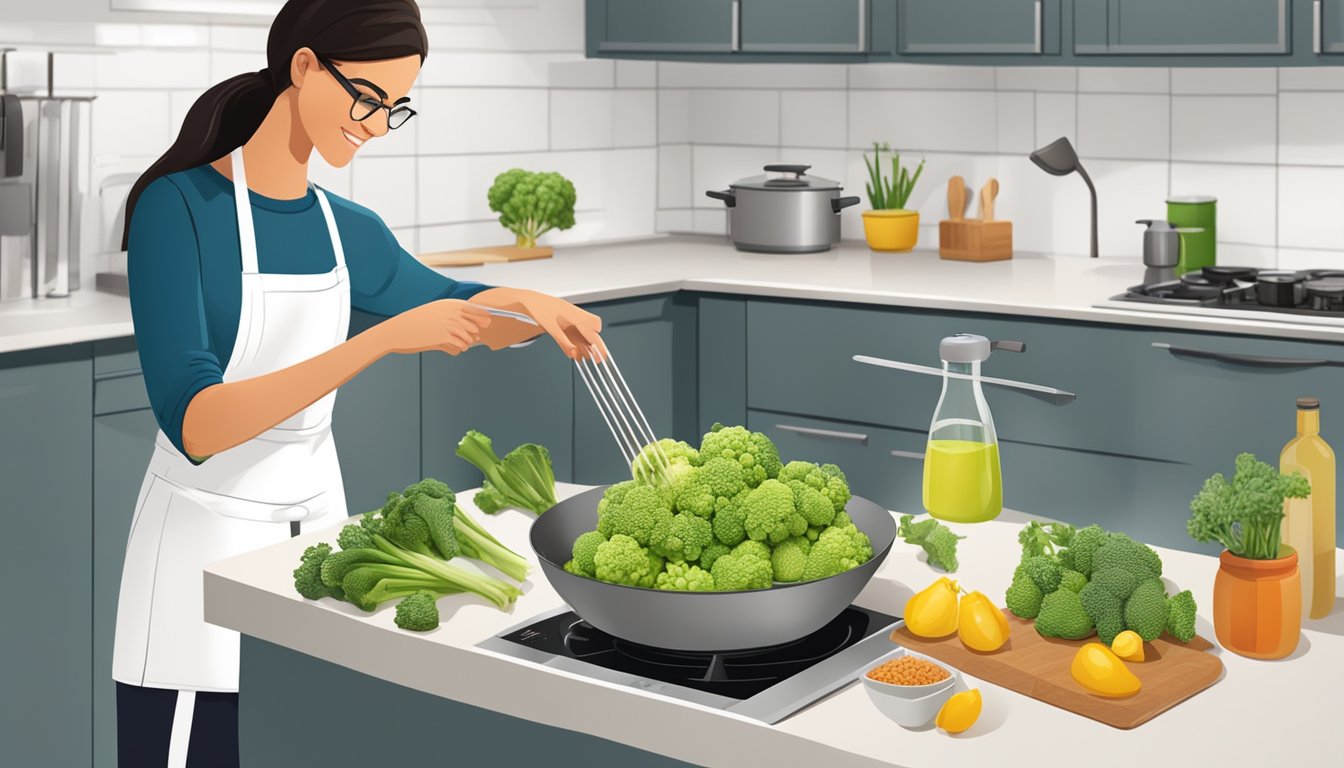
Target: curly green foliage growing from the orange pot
x,y
1245,516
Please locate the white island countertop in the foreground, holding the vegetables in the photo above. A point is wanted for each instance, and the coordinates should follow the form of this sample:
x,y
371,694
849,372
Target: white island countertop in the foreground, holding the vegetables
x,y
1287,709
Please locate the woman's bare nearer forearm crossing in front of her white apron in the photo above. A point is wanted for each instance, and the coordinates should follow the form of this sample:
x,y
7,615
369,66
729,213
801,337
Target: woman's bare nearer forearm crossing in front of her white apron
x,y
228,415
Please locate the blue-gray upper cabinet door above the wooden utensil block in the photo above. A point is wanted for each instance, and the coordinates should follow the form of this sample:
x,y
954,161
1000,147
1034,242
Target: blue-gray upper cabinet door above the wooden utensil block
x,y
978,28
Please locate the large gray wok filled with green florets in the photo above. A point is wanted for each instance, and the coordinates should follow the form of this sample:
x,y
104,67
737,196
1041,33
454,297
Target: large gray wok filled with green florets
x,y
702,621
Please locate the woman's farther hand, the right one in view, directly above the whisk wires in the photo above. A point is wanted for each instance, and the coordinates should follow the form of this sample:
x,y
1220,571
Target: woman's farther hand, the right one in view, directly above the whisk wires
x,y
577,332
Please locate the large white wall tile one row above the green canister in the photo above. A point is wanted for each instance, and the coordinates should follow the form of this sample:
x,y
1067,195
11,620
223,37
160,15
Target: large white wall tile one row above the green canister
x,y
1225,128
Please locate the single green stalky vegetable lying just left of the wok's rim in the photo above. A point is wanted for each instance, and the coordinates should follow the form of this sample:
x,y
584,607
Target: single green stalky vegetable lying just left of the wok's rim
x,y
523,479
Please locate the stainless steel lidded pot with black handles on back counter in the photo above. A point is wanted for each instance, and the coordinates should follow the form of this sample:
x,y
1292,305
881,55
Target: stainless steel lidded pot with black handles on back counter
x,y
784,215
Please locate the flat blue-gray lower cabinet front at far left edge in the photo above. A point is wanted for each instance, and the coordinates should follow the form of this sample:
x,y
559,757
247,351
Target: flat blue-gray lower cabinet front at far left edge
x,y
48,481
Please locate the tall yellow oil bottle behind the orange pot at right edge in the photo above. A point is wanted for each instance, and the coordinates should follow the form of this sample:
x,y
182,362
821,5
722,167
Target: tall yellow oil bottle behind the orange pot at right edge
x,y
1310,524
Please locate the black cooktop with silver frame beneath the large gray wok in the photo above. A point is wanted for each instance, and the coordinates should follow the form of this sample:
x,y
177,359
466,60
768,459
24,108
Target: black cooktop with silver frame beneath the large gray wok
x,y
763,684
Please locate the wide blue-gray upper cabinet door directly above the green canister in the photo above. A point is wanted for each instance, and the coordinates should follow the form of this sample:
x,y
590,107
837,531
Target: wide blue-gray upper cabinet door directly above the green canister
x,y
1182,28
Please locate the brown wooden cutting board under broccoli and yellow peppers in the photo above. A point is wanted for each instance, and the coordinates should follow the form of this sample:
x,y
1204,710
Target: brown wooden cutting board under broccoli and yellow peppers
x,y
1040,666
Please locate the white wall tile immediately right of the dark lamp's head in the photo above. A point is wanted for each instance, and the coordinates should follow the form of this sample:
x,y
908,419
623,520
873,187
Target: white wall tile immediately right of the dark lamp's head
x,y
1124,127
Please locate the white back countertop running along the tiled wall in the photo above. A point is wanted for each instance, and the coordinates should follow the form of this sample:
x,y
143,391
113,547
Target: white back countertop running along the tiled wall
x,y
1036,286
